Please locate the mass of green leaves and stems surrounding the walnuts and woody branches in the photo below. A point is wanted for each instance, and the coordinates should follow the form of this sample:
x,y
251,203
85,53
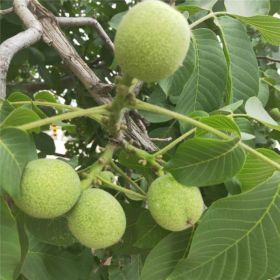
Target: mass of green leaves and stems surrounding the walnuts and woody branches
x,y
220,110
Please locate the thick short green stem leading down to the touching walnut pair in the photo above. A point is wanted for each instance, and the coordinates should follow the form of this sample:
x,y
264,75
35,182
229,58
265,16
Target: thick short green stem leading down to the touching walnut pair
x,y
97,167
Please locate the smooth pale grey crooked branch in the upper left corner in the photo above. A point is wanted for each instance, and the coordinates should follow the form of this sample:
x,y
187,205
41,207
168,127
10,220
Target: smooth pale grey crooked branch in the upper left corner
x,y
20,41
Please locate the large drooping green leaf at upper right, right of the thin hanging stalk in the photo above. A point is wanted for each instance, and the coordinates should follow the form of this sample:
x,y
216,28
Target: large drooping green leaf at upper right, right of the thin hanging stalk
x,y
243,75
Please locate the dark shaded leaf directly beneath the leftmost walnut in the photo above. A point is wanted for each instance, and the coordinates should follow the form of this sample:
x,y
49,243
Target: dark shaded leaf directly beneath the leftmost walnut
x,y
53,232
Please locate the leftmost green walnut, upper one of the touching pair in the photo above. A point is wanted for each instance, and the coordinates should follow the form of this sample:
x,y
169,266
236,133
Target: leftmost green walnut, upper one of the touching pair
x,y
49,188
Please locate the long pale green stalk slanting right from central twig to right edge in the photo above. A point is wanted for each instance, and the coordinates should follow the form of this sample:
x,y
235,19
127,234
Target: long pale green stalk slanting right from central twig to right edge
x,y
156,109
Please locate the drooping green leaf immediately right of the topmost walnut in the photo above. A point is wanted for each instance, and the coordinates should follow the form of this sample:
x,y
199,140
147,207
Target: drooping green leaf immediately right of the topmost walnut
x,y
205,89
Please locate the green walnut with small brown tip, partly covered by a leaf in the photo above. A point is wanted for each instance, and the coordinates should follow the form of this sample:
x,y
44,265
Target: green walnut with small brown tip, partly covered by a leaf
x,y
173,206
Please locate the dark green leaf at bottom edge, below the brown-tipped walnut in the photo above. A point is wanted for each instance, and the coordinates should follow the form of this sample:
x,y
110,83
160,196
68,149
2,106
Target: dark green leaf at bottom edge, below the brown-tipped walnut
x,y
165,255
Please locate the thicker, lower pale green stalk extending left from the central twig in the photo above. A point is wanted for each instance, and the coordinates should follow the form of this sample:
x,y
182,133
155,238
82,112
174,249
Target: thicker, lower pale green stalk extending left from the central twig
x,y
69,115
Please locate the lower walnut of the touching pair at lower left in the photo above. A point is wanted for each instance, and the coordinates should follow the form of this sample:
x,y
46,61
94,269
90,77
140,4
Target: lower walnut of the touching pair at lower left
x,y
98,220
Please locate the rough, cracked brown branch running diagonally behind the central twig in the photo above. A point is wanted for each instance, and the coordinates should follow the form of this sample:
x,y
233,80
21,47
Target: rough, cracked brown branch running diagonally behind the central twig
x,y
54,37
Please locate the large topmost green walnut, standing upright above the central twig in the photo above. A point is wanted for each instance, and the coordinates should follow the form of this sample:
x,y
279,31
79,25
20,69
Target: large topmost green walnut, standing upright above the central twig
x,y
152,41
